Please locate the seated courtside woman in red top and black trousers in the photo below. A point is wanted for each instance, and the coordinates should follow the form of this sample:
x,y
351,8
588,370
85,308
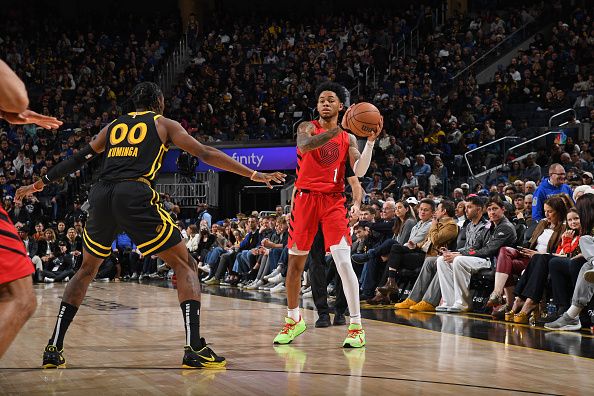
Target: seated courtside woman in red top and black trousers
x,y
530,287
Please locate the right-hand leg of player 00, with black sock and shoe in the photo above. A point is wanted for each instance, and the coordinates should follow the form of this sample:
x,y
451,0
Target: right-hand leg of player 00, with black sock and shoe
x,y
197,354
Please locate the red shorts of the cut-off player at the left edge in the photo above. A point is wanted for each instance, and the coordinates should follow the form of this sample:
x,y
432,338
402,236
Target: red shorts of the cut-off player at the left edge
x,y
14,262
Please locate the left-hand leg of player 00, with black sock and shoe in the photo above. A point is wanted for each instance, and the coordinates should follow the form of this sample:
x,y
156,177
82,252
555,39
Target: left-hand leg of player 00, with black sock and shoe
x,y
73,296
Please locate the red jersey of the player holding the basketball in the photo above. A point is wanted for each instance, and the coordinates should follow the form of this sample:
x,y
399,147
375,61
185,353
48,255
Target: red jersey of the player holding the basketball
x,y
323,169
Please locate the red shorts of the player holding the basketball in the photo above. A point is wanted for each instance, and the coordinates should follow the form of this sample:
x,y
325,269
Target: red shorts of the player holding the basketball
x,y
311,209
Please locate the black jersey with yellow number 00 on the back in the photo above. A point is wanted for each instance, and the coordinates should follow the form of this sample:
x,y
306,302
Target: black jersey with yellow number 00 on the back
x,y
134,148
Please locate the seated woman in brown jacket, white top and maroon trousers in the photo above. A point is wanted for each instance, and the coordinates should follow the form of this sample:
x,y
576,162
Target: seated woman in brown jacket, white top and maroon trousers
x,y
545,239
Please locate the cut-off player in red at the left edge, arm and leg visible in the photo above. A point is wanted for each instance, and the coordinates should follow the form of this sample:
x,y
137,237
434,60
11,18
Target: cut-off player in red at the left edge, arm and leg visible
x,y
17,300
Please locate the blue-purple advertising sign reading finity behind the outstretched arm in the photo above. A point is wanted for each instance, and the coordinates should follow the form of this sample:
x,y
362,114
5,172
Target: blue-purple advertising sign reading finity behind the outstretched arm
x,y
258,158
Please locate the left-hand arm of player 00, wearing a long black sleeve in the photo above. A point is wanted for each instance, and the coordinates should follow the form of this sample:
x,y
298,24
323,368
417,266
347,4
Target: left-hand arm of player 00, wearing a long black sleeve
x,y
66,167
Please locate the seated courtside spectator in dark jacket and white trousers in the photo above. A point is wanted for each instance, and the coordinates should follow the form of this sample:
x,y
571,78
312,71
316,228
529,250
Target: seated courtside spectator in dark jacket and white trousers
x,y
455,268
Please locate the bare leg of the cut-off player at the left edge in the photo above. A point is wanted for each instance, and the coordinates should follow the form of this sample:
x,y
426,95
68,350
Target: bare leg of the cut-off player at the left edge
x,y
17,304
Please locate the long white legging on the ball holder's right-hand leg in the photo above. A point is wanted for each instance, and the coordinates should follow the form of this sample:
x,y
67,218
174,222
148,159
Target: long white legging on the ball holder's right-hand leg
x,y
350,284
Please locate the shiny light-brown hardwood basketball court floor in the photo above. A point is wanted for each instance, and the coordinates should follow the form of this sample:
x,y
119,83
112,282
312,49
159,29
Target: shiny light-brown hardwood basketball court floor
x,y
127,339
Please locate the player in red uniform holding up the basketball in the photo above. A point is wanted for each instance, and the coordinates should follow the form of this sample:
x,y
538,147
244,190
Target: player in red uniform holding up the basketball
x,y
323,148
